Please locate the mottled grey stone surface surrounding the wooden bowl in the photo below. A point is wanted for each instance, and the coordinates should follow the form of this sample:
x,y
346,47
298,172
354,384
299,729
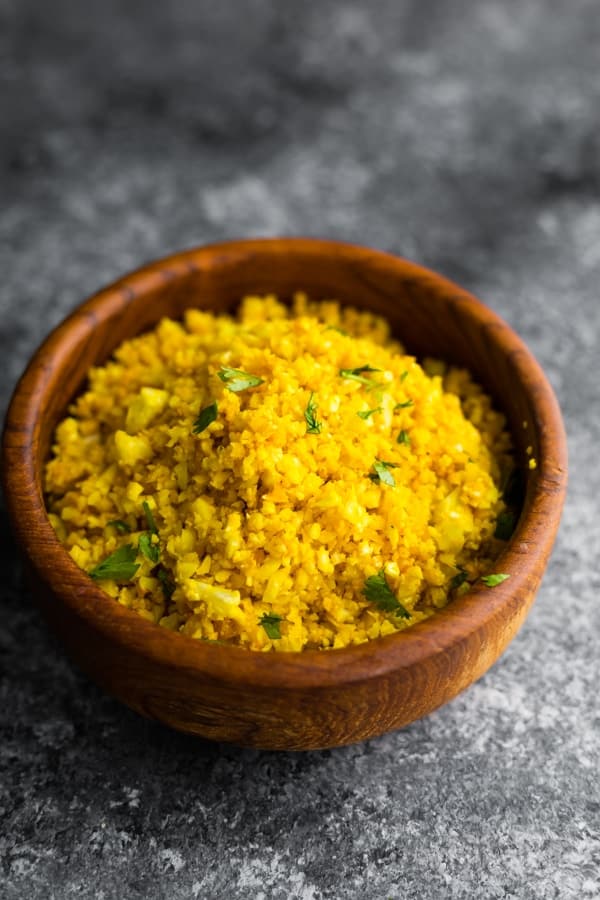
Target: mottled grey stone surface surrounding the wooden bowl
x,y
464,135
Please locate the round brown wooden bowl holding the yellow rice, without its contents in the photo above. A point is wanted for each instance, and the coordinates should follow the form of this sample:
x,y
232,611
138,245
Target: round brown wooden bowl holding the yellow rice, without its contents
x,y
313,699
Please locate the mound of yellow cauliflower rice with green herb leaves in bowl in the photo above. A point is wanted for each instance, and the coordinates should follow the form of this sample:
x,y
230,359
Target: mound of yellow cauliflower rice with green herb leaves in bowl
x,y
282,480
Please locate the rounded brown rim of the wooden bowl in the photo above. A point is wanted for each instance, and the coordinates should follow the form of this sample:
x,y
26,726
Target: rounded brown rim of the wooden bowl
x,y
307,669
